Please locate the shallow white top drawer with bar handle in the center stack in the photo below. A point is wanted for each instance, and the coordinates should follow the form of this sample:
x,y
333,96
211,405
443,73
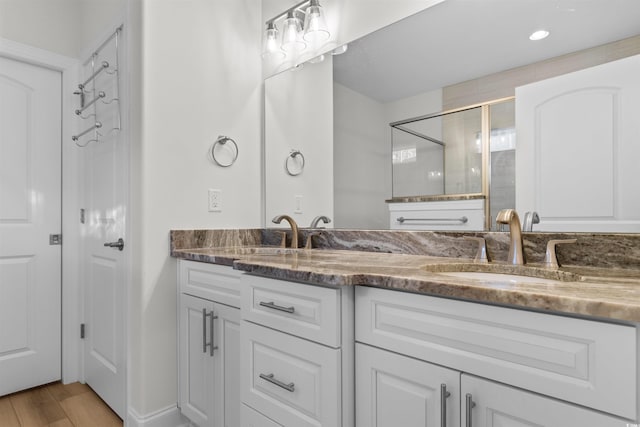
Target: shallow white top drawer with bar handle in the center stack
x,y
308,311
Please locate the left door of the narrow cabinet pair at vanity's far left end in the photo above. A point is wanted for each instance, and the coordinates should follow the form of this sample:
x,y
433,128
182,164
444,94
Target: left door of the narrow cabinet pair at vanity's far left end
x,y
196,363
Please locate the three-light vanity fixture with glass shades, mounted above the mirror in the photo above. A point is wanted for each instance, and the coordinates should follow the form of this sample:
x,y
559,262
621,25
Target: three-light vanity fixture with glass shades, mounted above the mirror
x,y
296,34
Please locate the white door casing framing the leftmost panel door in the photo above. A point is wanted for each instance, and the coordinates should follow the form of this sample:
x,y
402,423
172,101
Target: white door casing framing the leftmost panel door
x,y
68,67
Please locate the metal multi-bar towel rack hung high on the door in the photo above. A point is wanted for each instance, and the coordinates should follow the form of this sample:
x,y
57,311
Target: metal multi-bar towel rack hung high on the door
x,y
102,87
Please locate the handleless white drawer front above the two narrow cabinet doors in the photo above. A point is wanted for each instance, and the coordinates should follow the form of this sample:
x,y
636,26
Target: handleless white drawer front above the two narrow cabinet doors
x,y
210,281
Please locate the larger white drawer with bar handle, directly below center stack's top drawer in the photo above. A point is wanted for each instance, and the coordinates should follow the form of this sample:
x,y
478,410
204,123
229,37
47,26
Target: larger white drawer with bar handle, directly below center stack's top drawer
x,y
290,380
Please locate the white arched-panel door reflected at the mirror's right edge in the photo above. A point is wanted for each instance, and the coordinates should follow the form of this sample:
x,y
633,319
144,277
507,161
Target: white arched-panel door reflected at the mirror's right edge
x,y
577,151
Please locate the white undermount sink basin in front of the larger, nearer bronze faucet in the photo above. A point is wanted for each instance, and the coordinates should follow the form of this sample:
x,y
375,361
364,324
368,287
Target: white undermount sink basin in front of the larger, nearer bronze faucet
x,y
503,273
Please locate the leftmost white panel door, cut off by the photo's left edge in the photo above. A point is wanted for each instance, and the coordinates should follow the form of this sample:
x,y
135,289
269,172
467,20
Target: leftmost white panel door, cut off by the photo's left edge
x,y
30,210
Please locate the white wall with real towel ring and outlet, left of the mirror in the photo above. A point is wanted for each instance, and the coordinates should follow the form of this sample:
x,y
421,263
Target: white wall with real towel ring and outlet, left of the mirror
x,y
201,77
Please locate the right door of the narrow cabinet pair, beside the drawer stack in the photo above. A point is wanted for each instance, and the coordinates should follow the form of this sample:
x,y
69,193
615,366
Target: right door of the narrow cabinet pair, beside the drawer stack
x,y
226,402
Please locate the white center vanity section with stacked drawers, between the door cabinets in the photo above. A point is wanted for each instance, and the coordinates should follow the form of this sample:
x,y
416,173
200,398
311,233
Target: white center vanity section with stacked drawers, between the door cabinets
x,y
296,354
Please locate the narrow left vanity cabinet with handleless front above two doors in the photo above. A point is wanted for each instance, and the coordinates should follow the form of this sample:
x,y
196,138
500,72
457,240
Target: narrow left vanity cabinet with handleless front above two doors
x,y
209,343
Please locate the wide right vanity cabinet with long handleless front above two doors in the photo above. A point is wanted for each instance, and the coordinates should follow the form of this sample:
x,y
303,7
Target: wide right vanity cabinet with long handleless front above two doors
x,y
517,367
